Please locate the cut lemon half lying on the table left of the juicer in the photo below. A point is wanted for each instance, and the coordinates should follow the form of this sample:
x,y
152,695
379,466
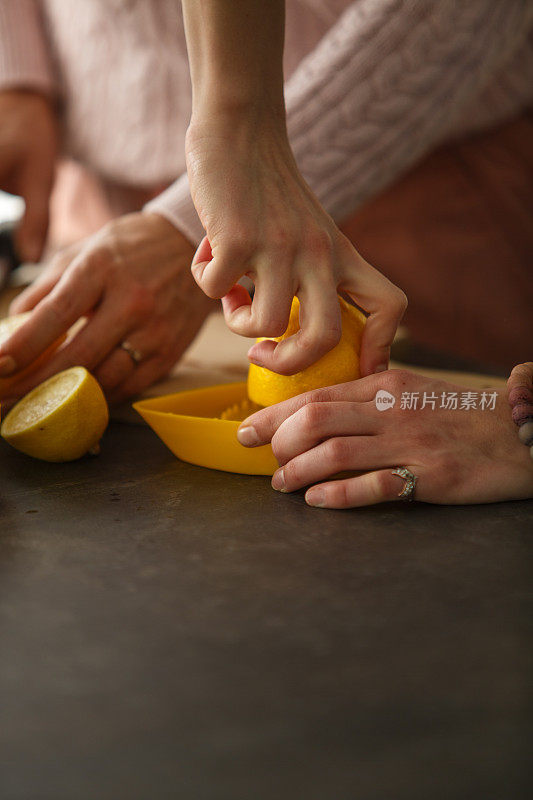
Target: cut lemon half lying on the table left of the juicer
x,y
61,419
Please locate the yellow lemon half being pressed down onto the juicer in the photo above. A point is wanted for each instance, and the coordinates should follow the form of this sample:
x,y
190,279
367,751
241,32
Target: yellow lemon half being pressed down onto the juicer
x,y
337,366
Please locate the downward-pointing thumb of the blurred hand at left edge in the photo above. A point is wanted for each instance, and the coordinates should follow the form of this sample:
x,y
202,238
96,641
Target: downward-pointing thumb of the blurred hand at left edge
x,y
35,188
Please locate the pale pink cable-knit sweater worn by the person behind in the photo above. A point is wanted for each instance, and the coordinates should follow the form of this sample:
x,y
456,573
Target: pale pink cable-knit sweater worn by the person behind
x,y
372,85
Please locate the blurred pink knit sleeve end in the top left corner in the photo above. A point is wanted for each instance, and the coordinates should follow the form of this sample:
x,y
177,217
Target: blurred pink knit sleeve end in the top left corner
x,y
24,58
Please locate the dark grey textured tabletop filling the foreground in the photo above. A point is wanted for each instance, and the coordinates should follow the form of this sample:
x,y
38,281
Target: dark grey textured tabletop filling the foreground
x,y
171,632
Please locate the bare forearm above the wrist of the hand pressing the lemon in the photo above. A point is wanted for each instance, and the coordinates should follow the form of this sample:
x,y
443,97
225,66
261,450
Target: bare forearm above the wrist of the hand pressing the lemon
x,y
235,54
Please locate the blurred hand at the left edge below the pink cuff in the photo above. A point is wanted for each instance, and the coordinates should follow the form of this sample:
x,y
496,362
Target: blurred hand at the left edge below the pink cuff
x,y
29,142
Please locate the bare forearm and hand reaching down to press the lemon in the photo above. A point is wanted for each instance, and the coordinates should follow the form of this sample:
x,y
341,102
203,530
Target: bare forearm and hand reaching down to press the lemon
x,y
261,218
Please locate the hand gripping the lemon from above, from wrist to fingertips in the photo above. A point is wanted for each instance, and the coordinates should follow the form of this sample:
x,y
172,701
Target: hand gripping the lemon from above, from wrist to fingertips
x,y
262,220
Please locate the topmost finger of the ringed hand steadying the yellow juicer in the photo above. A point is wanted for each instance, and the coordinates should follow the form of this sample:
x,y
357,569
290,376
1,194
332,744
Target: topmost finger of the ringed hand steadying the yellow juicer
x,y
259,428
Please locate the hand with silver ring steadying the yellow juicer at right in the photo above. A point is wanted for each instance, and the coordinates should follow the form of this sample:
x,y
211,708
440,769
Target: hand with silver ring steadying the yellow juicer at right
x,y
459,455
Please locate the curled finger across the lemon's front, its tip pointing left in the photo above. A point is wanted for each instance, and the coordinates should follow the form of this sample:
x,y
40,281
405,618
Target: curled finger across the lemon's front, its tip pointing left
x,y
320,331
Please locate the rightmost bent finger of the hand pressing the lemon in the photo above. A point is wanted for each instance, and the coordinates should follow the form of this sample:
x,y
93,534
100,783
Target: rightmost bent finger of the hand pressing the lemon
x,y
385,304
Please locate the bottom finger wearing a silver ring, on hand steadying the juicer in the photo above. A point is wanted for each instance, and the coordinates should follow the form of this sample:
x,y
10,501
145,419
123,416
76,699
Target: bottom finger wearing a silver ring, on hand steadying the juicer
x,y
373,487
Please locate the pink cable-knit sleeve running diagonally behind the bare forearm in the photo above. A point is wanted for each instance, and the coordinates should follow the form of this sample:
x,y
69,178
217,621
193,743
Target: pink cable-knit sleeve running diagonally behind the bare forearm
x,y
381,90
